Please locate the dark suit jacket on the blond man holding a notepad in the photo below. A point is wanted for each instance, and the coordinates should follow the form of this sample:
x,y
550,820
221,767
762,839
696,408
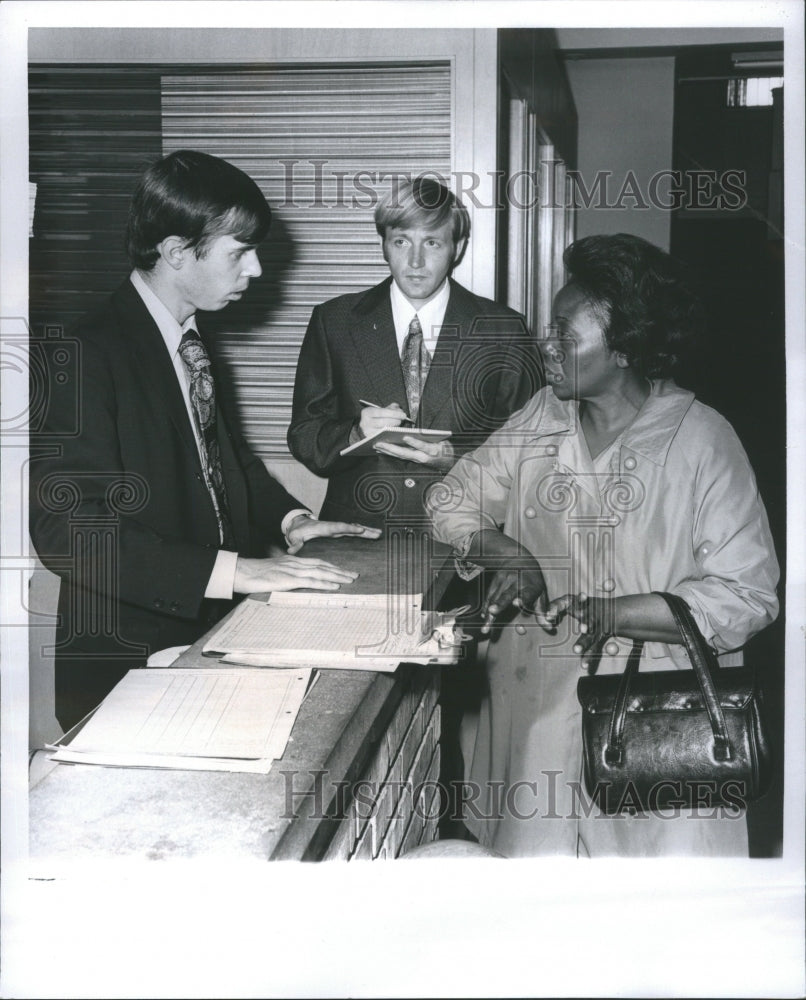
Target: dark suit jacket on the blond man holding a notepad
x,y
485,366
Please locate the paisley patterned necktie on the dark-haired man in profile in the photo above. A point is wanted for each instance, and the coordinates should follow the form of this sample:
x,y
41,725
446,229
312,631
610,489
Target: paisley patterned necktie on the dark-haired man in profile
x,y
202,399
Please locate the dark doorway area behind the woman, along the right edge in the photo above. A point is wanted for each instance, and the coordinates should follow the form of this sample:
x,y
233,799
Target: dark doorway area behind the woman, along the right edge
x,y
729,229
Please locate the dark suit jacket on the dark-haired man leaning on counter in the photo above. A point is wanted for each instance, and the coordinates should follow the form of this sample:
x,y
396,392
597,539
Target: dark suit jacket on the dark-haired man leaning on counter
x,y
119,508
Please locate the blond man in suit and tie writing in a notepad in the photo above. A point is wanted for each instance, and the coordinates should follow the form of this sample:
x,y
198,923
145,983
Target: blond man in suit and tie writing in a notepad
x,y
419,351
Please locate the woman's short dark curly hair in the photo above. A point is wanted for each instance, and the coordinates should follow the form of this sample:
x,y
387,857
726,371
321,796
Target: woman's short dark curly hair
x,y
643,296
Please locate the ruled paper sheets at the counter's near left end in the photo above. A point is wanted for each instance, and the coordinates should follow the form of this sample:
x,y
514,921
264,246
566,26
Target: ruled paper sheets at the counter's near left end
x,y
212,720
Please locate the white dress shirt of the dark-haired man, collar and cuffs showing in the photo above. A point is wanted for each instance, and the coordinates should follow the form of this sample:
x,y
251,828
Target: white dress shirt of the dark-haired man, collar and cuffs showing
x,y
222,579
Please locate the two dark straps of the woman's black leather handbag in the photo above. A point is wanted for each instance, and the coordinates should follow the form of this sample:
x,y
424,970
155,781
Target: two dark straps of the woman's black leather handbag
x,y
703,661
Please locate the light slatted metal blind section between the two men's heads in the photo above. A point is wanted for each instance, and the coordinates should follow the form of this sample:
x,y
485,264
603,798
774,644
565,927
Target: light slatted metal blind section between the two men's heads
x,y
322,142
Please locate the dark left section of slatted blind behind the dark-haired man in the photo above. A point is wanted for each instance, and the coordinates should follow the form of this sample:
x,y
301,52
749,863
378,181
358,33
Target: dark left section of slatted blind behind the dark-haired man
x,y
92,131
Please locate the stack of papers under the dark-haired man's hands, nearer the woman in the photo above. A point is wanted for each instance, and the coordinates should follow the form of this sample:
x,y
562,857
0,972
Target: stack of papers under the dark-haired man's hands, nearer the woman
x,y
343,631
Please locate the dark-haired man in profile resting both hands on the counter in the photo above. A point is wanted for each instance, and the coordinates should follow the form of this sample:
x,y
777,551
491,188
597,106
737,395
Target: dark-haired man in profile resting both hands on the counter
x,y
154,512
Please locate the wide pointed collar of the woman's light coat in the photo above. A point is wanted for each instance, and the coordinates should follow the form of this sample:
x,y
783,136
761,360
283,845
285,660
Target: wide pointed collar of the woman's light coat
x,y
653,430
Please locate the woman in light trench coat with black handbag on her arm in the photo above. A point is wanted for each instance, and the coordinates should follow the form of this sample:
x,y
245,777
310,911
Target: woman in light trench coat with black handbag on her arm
x,y
610,488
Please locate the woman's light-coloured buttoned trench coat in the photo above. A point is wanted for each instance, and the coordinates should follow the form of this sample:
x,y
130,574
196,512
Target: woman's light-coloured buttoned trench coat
x,y
672,505
